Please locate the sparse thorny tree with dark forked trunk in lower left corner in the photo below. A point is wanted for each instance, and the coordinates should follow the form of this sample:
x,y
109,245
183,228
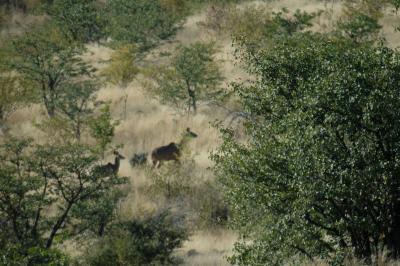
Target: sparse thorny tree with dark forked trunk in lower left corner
x,y
35,179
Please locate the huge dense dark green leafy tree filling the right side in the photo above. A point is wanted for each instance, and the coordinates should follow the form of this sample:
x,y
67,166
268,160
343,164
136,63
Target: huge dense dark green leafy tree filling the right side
x,y
318,175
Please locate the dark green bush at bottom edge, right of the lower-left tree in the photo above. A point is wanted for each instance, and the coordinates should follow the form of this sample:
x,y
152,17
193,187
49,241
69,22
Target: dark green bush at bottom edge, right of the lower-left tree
x,y
140,242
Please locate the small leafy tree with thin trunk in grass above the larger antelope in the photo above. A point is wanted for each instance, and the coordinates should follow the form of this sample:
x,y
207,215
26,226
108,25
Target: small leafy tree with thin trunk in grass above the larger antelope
x,y
193,75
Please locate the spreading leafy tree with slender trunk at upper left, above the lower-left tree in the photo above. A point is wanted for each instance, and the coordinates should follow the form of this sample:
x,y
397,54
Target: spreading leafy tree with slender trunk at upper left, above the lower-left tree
x,y
49,61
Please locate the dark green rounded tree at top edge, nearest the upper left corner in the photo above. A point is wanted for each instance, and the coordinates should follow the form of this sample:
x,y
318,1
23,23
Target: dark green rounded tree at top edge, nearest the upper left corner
x,y
81,19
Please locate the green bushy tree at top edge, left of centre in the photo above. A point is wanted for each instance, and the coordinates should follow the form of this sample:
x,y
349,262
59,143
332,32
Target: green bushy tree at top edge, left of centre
x,y
143,22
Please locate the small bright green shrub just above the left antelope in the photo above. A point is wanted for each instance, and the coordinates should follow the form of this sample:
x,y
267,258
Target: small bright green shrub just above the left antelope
x,y
102,128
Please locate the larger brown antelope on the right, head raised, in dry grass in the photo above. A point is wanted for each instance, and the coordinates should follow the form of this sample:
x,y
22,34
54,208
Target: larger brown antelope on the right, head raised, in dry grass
x,y
172,151
